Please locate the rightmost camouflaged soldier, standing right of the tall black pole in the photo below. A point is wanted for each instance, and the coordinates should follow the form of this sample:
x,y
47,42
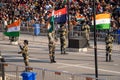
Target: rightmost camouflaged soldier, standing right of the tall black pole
x,y
109,41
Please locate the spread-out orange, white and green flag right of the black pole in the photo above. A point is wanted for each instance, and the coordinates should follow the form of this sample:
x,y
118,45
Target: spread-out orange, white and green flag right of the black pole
x,y
103,21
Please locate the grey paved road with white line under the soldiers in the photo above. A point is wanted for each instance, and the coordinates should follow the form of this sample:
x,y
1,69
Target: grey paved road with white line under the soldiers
x,y
74,62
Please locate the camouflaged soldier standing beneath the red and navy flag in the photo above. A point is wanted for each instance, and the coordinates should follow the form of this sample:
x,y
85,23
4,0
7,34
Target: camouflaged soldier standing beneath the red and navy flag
x,y
63,32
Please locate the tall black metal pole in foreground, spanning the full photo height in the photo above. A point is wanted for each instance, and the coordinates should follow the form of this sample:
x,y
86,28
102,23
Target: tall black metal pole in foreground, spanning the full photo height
x,y
95,40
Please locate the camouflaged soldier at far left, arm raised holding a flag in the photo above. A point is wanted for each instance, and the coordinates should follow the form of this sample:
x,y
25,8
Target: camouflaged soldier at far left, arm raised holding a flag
x,y
24,52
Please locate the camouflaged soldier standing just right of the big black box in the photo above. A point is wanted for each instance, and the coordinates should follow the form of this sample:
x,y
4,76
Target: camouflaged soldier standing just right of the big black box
x,y
86,32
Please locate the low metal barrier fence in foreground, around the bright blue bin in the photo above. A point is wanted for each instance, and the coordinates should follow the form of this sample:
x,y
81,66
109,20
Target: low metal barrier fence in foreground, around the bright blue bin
x,y
13,72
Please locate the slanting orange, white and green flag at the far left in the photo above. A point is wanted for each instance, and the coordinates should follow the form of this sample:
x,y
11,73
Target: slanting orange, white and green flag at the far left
x,y
13,30
